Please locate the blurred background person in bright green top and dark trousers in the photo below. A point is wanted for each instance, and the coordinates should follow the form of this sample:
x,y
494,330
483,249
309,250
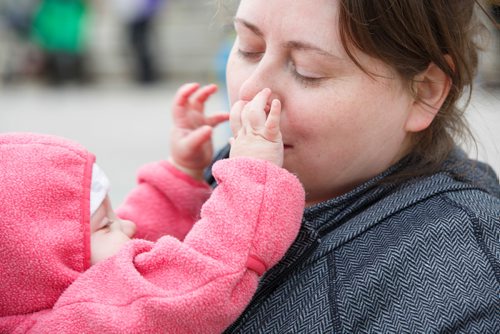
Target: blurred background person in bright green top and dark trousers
x,y
59,28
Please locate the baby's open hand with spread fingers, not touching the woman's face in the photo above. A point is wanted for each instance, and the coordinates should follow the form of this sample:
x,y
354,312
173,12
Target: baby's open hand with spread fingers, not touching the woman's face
x,y
191,137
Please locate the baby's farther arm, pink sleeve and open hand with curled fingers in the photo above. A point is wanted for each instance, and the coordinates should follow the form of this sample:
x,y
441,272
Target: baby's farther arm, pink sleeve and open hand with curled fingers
x,y
169,195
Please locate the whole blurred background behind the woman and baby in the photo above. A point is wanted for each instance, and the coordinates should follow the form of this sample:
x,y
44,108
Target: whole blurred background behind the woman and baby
x,y
104,72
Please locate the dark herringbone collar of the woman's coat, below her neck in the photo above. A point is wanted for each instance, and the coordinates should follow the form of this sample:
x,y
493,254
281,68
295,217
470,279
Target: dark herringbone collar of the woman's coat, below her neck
x,y
457,173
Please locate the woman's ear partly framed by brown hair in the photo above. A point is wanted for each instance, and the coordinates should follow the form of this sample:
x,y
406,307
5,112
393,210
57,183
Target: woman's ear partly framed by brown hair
x,y
431,88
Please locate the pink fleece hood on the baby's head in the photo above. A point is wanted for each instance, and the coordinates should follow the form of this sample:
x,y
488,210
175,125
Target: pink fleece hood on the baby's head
x,y
44,219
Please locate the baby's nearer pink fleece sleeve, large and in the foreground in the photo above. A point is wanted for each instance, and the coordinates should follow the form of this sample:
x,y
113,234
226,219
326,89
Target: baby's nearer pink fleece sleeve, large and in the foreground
x,y
200,285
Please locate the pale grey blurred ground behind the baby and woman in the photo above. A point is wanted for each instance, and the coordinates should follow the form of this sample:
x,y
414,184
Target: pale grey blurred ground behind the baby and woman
x,y
127,126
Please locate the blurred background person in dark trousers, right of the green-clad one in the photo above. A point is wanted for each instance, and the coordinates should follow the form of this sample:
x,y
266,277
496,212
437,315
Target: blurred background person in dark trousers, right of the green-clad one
x,y
138,18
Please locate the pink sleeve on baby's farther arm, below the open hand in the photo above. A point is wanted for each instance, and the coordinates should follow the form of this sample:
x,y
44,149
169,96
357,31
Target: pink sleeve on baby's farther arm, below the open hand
x,y
165,202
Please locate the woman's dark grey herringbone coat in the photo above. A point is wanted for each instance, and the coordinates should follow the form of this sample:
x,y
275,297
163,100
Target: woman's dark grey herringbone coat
x,y
419,257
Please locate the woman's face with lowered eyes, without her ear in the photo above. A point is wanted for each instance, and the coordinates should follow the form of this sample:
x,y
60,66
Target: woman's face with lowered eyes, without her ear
x,y
340,126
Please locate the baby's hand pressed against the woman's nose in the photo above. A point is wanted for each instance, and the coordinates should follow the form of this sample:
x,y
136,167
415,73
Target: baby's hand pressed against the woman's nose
x,y
257,135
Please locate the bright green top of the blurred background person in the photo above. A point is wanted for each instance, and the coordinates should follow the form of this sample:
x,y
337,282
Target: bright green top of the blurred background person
x,y
58,25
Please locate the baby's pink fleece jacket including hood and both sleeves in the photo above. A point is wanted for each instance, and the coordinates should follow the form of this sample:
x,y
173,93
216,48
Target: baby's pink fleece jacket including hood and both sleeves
x,y
198,285
